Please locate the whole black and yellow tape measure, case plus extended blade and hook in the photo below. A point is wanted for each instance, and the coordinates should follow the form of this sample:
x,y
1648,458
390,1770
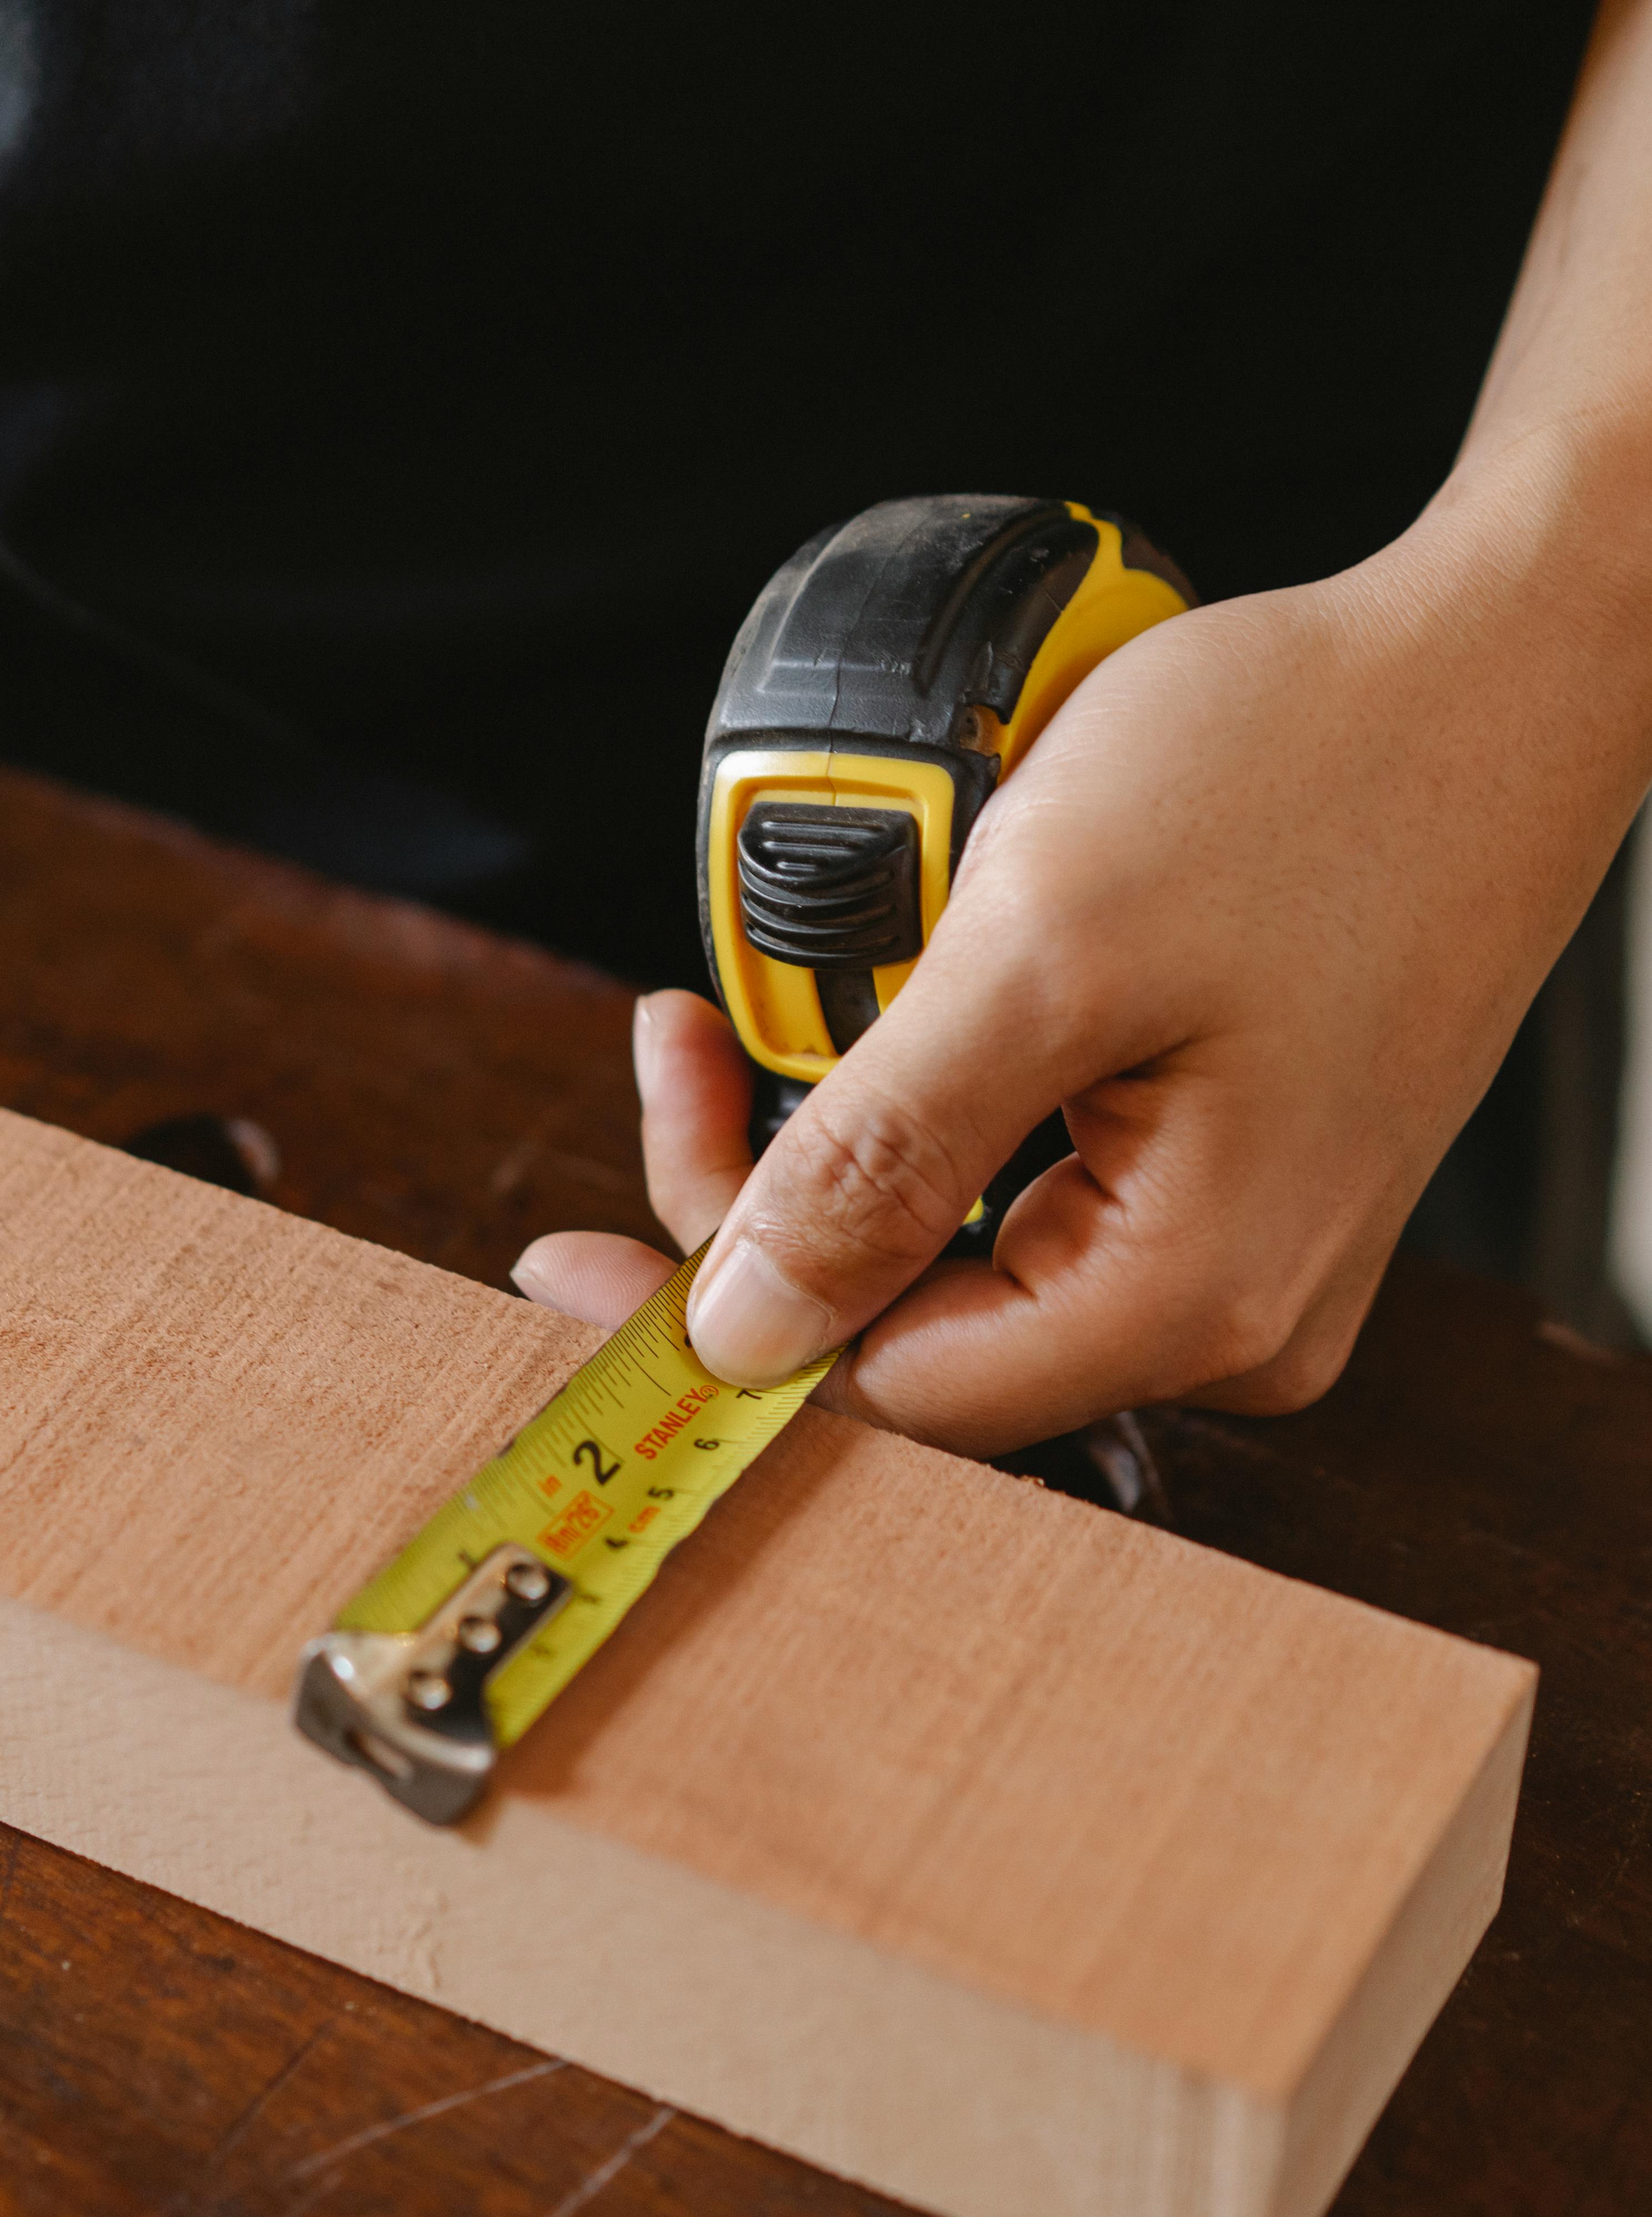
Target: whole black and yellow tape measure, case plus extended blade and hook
x,y
886,682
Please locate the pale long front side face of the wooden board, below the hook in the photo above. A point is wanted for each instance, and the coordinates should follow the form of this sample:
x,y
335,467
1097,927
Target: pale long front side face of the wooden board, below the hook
x,y
808,2039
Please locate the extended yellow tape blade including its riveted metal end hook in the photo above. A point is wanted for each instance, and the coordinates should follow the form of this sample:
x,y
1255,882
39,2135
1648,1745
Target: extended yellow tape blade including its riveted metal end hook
x,y
462,1642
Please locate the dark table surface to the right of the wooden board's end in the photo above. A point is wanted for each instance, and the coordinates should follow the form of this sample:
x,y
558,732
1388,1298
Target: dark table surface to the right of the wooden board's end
x,y
1491,1473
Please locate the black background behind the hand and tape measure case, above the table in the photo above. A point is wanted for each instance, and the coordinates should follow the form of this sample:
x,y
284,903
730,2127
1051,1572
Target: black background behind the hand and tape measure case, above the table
x,y
402,405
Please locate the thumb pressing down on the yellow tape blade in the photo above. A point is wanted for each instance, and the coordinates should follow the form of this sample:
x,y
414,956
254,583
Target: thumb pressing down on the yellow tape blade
x,y
886,1158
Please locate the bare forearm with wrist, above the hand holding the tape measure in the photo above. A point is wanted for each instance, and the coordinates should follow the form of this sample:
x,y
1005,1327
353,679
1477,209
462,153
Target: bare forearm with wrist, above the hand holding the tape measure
x,y
1520,597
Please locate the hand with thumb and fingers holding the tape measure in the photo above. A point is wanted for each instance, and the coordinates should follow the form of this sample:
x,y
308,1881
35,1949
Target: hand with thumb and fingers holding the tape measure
x,y
1261,915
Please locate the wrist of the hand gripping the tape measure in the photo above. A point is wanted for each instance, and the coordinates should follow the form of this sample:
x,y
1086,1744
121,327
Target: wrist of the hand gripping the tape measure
x,y
1502,660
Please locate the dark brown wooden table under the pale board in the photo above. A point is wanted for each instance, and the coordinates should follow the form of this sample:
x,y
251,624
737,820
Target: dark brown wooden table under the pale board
x,y
451,1096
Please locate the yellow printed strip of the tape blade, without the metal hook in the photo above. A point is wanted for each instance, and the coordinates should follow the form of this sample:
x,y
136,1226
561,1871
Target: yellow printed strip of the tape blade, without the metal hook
x,y
602,1484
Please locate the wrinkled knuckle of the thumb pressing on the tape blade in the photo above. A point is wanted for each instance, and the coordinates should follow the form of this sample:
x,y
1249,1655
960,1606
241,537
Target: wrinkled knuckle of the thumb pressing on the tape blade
x,y
877,1181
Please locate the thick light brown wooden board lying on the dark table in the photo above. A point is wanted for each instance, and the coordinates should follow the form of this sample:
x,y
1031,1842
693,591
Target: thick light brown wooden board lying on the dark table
x,y
1034,1861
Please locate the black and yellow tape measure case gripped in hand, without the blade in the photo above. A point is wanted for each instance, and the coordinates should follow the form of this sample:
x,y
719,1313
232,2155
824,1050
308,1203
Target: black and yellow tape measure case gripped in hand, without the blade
x,y
884,686
